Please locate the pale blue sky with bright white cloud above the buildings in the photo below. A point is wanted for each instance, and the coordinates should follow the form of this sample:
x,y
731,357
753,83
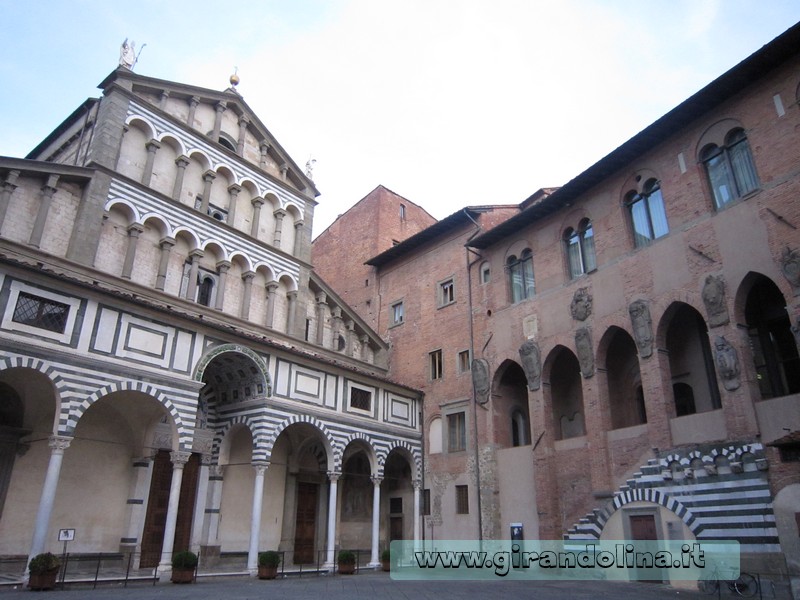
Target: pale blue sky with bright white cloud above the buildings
x,y
448,103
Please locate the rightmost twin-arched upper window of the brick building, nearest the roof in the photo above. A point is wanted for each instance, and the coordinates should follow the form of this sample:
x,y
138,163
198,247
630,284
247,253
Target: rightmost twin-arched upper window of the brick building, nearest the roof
x,y
730,168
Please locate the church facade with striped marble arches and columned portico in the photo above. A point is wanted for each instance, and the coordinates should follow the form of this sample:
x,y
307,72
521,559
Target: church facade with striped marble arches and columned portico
x,y
173,373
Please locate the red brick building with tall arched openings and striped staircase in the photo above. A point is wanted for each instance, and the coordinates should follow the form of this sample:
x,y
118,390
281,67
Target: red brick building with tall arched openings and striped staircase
x,y
632,336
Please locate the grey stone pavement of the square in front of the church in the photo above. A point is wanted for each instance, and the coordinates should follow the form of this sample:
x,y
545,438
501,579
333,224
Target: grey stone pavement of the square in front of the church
x,y
365,586
